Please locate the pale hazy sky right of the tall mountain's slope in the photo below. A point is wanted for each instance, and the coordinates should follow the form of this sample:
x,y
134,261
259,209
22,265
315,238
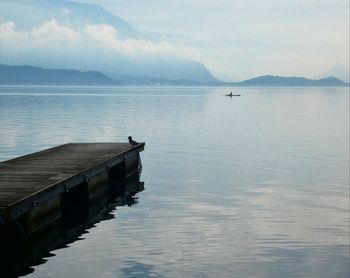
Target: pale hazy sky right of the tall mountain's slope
x,y
238,39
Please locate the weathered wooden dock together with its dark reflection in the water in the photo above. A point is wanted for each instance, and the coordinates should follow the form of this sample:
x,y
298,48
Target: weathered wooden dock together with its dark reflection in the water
x,y
49,198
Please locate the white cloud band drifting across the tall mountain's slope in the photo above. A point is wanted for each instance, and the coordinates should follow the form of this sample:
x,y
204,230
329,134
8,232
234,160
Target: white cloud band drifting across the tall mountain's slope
x,y
51,36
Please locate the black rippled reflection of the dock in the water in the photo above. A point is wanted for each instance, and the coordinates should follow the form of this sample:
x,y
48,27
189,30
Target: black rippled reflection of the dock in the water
x,y
19,253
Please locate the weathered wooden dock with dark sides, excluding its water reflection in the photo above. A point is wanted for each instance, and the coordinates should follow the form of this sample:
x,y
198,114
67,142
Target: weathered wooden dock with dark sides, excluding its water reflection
x,y
61,182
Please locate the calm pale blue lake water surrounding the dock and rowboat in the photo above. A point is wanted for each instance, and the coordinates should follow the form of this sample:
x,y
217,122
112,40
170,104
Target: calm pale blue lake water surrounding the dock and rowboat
x,y
253,186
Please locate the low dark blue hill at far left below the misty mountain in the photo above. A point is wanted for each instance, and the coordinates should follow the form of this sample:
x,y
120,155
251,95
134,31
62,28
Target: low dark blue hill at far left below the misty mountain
x,y
28,75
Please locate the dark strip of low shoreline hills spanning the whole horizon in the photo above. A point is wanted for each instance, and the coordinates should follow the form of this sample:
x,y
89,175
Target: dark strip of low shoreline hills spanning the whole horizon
x,y
29,75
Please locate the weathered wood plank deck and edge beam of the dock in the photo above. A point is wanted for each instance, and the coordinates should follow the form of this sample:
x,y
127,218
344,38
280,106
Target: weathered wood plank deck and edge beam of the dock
x,y
30,180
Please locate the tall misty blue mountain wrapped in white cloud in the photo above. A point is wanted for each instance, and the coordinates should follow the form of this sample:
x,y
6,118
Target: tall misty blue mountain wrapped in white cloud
x,y
72,35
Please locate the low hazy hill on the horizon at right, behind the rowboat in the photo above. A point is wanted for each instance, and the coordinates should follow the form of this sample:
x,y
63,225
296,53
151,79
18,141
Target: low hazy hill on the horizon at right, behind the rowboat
x,y
270,80
